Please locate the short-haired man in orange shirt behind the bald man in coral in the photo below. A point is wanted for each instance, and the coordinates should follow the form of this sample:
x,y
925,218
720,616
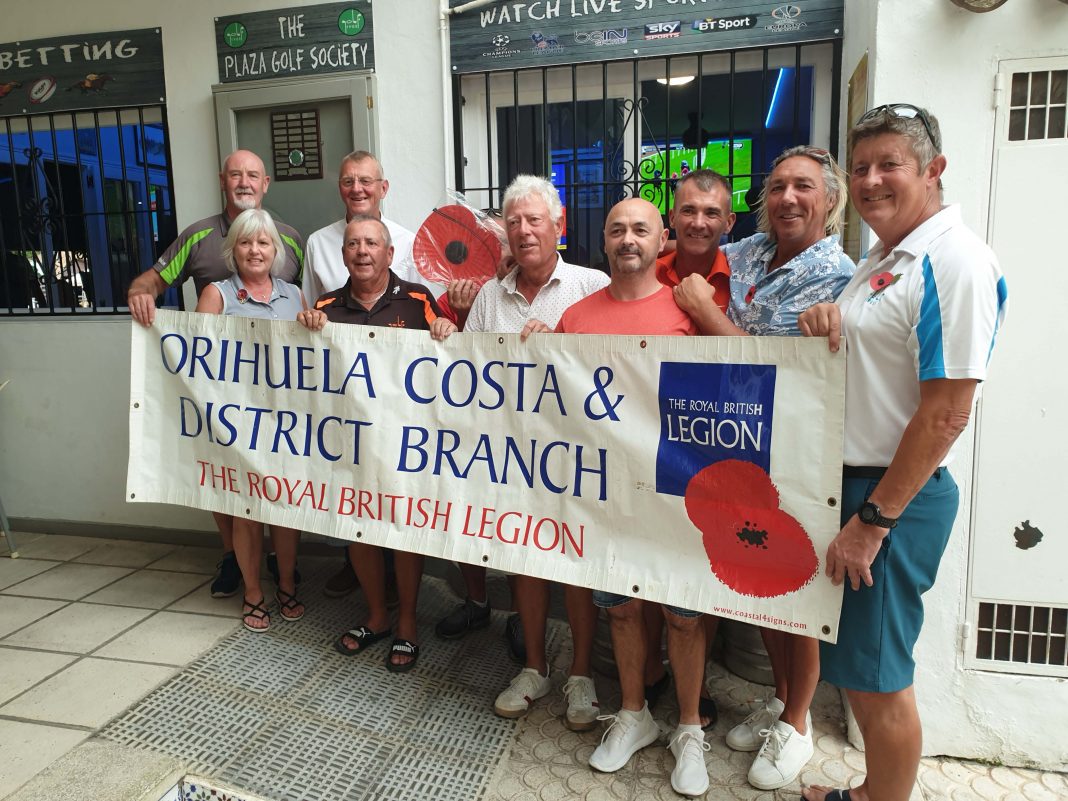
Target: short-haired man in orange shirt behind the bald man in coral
x,y
701,216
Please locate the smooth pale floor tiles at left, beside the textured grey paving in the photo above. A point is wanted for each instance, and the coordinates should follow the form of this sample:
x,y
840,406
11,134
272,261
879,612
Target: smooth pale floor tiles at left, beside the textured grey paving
x,y
88,627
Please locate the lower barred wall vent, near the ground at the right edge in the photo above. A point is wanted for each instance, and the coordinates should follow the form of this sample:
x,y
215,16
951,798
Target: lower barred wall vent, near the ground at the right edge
x,y
1015,636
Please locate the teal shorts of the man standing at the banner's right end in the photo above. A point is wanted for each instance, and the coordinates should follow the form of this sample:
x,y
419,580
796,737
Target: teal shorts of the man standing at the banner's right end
x,y
881,624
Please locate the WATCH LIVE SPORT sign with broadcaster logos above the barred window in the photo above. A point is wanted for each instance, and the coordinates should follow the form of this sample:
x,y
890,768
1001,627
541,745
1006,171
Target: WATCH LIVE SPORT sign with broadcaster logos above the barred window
x,y
510,36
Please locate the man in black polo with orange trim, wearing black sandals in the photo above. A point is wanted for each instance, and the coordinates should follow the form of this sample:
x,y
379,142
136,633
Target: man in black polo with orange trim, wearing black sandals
x,y
375,296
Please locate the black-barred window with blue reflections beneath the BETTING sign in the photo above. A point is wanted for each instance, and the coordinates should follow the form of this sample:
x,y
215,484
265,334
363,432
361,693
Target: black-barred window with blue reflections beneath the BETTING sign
x,y
87,203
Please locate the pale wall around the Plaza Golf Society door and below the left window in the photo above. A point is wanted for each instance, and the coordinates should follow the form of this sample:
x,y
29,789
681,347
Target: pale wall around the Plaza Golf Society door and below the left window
x,y
64,419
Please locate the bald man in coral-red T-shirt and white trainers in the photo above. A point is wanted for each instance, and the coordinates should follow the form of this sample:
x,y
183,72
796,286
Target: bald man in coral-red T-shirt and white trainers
x,y
636,303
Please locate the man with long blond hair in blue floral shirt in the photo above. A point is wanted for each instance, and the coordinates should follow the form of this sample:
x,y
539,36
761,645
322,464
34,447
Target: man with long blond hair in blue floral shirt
x,y
795,262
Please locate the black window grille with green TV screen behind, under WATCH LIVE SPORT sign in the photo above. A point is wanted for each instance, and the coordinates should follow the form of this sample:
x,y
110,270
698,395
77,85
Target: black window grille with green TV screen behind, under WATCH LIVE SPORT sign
x,y
631,128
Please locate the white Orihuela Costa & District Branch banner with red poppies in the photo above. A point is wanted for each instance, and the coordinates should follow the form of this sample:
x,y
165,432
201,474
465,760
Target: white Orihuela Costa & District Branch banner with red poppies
x,y
701,473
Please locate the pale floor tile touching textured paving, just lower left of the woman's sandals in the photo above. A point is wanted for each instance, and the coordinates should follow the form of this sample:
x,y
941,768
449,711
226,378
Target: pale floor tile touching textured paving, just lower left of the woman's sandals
x,y
170,638
